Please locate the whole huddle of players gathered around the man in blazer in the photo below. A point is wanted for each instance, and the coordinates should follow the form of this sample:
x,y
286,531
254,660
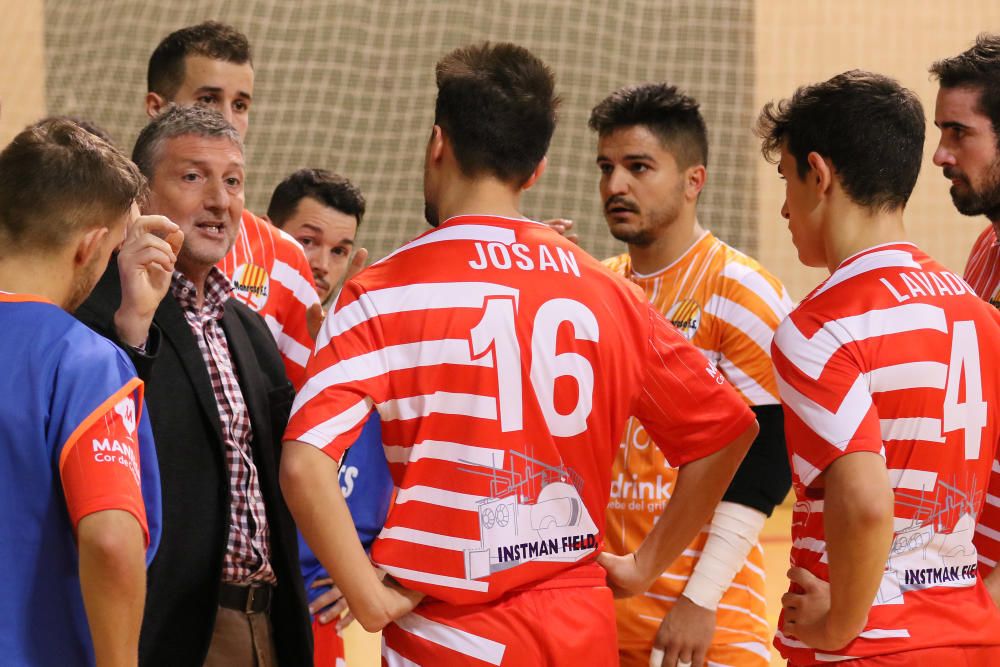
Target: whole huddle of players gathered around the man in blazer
x,y
226,438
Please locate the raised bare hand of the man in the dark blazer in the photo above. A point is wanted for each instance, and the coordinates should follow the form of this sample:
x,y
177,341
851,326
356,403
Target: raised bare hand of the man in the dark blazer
x,y
146,264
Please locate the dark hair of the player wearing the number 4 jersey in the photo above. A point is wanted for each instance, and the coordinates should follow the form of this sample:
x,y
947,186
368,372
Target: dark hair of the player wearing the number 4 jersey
x,y
870,128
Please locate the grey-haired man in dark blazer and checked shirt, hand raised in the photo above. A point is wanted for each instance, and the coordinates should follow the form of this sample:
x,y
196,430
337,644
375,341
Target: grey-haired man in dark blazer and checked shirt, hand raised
x,y
225,587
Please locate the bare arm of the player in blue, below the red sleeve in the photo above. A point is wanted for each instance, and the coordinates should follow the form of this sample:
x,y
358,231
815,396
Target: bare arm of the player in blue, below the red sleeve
x,y
113,583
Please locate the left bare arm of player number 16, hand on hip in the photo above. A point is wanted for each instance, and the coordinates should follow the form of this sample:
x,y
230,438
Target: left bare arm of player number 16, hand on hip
x,y
321,513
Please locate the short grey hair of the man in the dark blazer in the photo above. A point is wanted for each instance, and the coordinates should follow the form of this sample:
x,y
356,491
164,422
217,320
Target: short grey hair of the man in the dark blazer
x,y
177,121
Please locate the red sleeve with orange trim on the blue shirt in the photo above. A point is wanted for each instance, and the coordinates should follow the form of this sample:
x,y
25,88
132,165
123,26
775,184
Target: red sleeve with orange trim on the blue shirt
x,y
99,463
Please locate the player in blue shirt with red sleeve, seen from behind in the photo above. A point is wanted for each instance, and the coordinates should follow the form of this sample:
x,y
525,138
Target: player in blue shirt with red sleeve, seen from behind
x,y
81,506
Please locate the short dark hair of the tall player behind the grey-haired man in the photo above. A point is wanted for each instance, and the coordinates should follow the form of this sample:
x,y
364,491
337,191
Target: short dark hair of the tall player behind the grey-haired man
x,y
210,39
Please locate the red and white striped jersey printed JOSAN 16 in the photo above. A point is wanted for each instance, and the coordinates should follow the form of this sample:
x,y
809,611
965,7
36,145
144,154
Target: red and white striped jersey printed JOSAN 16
x,y
503,361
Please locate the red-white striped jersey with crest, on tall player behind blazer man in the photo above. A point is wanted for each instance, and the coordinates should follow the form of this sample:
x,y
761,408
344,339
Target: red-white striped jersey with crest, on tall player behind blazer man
x,y
271,274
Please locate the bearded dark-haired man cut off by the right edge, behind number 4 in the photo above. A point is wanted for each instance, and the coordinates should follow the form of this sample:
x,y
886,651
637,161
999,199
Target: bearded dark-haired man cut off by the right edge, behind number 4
x,y
968,114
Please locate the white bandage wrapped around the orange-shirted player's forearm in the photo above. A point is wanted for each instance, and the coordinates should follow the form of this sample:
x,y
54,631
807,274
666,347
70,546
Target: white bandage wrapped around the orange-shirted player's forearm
x,y
732,534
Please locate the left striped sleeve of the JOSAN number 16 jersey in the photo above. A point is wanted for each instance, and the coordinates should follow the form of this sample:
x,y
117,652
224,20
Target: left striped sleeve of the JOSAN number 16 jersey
x,y
345,378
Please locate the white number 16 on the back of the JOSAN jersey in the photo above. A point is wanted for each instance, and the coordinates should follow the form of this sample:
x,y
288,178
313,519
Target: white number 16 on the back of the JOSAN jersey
x,y
497,331
